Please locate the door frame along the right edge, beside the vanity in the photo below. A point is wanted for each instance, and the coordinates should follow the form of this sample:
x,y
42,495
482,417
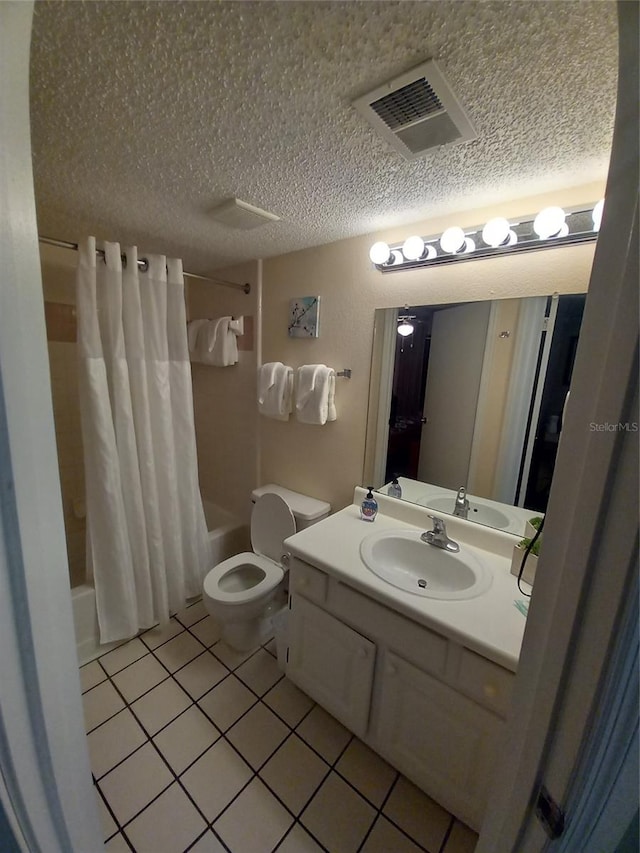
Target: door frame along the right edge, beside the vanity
x,y
591,533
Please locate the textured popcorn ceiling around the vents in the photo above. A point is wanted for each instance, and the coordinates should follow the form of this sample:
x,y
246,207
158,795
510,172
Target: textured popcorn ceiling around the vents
x,y
145,116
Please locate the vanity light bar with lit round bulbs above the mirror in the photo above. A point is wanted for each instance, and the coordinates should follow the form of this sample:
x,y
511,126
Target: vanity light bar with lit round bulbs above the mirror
x,y
552,227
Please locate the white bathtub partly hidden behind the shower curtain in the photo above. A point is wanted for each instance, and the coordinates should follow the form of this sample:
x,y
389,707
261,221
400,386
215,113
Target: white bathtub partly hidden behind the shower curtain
x,y
227,536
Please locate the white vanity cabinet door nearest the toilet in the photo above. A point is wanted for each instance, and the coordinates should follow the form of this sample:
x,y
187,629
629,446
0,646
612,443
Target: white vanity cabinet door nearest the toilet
x,y
332,663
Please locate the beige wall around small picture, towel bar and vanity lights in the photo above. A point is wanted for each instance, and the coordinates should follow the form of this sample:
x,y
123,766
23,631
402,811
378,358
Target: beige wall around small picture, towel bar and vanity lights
x,y
327,462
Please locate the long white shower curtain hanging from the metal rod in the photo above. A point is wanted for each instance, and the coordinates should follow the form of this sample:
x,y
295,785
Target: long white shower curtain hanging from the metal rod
x,y
147,544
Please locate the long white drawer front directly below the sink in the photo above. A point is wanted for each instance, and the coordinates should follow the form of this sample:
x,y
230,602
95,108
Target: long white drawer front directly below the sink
x,y
413,641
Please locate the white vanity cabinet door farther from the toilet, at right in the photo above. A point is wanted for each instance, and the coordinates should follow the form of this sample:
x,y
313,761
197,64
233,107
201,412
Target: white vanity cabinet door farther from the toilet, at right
x,y
443,741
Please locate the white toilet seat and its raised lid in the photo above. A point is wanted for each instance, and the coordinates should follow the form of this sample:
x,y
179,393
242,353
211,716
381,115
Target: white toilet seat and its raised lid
x,y
271,523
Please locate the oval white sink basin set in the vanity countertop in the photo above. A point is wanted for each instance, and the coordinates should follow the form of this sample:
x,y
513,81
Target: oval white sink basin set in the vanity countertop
x,y
402,559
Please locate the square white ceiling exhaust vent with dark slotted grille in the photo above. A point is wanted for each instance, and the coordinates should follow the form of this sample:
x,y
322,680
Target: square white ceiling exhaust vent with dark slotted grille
x,y
417,112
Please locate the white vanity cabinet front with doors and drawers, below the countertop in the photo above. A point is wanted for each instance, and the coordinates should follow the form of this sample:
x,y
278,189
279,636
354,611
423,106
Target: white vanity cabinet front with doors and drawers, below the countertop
x,y
433,708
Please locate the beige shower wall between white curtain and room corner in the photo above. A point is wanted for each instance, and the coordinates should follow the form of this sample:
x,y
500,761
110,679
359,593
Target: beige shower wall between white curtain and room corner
x,y
224,398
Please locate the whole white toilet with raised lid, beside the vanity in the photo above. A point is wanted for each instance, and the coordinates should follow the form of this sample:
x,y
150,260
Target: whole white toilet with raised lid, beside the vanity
x,y
243,592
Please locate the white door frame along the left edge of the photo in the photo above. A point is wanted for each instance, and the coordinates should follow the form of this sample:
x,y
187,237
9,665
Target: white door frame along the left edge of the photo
x,y
47,791
